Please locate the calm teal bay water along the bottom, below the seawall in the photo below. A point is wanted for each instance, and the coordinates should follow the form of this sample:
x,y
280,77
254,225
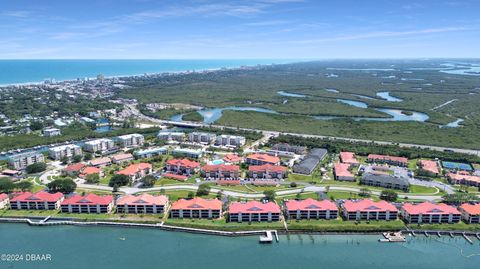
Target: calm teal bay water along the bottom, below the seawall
x,y
101,247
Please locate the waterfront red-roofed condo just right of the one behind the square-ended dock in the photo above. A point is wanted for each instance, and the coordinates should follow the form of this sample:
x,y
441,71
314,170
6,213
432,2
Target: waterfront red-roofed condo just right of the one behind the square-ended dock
x,y
311,209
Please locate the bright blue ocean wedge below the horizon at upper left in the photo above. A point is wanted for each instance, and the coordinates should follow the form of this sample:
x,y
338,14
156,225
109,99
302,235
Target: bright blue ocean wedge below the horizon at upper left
x,y
25,71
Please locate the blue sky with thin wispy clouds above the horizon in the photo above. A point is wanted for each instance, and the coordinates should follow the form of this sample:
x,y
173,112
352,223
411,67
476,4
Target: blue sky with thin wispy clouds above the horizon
x,y
293,29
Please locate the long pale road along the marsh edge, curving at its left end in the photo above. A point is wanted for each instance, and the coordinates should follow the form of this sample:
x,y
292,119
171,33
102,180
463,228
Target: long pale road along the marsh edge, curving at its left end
x,y
134,111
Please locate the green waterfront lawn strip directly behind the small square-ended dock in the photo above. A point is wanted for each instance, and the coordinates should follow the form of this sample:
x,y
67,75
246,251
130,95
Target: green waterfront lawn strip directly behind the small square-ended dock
x,y
222,224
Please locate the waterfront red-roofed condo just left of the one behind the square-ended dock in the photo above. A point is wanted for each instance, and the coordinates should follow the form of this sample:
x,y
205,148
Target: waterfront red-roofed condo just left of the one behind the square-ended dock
x,y
196,208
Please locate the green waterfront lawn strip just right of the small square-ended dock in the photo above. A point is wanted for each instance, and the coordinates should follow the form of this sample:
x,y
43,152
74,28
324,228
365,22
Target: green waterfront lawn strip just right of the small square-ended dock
x,y
339,225
